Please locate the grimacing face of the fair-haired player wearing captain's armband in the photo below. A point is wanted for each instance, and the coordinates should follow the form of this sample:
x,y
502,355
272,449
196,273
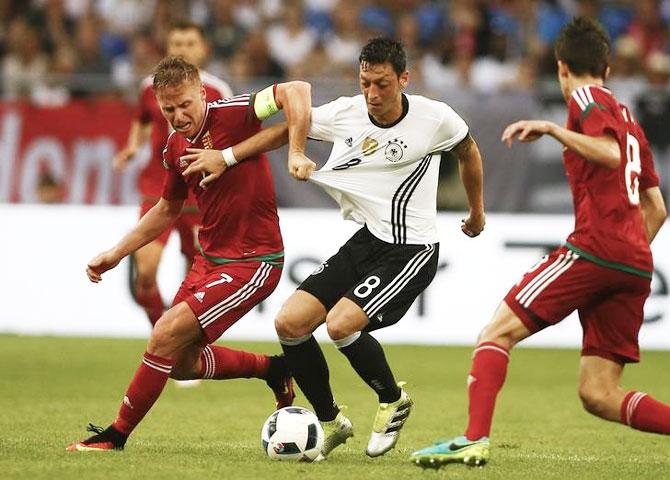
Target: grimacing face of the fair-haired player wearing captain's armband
x,y
183,107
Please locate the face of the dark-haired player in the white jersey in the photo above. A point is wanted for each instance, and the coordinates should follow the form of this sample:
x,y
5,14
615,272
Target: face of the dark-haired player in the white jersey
x,y
382,89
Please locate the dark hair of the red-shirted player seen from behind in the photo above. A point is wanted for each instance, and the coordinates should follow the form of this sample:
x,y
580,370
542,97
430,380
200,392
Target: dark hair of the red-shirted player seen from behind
x,y
583,45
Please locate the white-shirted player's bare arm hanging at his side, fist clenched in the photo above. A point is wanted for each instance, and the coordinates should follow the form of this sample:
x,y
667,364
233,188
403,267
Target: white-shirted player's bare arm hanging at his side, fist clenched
x,y
472,176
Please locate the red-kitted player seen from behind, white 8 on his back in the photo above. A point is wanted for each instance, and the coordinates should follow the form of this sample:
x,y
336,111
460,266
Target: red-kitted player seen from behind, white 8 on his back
x,y
604,269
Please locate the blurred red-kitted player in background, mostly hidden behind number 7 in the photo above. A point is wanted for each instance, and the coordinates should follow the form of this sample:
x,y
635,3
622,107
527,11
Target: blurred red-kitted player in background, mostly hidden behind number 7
x,y
186,39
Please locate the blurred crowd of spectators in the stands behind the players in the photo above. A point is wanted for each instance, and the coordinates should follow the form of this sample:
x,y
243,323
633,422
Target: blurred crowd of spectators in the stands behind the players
x,y
52,51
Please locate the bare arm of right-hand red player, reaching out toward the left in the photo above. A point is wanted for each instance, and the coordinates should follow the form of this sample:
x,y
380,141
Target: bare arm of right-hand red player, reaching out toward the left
x,y
602,150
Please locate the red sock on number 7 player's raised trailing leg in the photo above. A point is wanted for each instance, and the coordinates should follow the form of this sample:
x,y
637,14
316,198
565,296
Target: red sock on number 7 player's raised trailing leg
x,y
220,363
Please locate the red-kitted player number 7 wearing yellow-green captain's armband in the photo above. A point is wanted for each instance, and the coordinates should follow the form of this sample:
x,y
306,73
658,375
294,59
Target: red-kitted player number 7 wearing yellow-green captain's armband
x,y
240,240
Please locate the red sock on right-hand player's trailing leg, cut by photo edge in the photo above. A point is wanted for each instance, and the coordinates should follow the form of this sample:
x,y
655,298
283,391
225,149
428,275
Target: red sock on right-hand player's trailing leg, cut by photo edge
x,y
644,413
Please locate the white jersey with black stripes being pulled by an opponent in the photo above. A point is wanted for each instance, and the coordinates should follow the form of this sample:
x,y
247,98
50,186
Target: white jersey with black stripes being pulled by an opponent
x,y
386,176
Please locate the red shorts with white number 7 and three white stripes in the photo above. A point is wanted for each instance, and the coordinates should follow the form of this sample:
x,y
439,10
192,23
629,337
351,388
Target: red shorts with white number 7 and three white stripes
x,y
219,295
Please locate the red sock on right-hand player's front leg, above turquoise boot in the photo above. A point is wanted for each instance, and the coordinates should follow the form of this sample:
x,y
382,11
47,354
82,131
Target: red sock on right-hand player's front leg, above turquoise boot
x,y
487,376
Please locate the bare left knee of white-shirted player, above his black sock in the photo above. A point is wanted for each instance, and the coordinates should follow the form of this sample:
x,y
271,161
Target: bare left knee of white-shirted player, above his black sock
x,y
300,315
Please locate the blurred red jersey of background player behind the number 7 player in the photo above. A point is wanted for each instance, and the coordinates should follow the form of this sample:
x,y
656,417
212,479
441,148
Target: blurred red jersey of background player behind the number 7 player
x,y
151,178
